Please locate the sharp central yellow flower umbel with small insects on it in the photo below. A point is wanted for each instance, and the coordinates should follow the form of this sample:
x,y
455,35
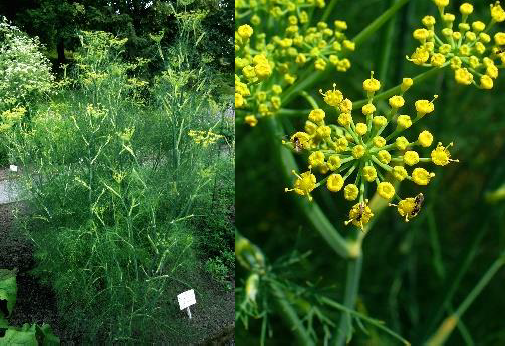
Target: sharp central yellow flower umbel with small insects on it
x,y
339,150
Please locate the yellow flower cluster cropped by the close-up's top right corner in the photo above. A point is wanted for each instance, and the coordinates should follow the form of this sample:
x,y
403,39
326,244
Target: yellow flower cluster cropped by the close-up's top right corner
x,y
467,47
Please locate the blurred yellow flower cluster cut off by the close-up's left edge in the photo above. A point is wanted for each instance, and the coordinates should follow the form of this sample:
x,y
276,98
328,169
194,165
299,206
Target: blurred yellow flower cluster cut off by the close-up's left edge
x,y
273,43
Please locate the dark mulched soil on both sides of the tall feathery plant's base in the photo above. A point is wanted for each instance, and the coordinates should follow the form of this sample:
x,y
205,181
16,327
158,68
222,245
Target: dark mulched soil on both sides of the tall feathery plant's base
x,y
37,303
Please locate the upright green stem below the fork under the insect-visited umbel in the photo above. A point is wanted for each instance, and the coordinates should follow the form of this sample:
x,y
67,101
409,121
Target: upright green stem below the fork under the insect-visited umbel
x,y
344,330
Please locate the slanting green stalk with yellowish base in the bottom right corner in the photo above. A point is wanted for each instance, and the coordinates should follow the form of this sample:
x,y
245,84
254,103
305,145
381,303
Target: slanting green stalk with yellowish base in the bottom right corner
x,y
448,325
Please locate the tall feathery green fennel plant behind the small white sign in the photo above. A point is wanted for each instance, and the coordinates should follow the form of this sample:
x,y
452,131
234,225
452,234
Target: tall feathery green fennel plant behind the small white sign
x,y
114,183
